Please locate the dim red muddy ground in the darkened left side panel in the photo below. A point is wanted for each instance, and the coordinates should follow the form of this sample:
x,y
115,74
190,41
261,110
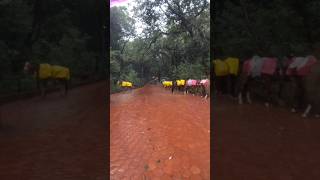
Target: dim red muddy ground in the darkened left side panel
x,y
56,138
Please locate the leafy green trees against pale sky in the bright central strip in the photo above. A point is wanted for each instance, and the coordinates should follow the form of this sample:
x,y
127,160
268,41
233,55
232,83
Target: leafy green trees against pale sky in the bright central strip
x,y
174,43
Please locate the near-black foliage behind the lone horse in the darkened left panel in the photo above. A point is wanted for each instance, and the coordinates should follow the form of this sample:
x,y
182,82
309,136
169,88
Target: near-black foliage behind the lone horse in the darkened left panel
x,y
63,32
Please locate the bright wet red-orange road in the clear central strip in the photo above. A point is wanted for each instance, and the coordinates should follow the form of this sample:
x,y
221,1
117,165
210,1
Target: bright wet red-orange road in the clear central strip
x,y
159,135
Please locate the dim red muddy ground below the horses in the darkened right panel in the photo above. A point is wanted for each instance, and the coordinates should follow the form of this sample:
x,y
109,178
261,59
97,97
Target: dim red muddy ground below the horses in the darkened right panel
x,y
253,142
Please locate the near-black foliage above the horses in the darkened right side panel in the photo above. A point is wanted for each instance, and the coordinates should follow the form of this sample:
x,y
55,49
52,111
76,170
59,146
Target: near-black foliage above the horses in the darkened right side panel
x,y
267,28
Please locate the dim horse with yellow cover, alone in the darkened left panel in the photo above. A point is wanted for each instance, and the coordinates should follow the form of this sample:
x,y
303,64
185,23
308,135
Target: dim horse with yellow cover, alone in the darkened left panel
x,y
46,72
